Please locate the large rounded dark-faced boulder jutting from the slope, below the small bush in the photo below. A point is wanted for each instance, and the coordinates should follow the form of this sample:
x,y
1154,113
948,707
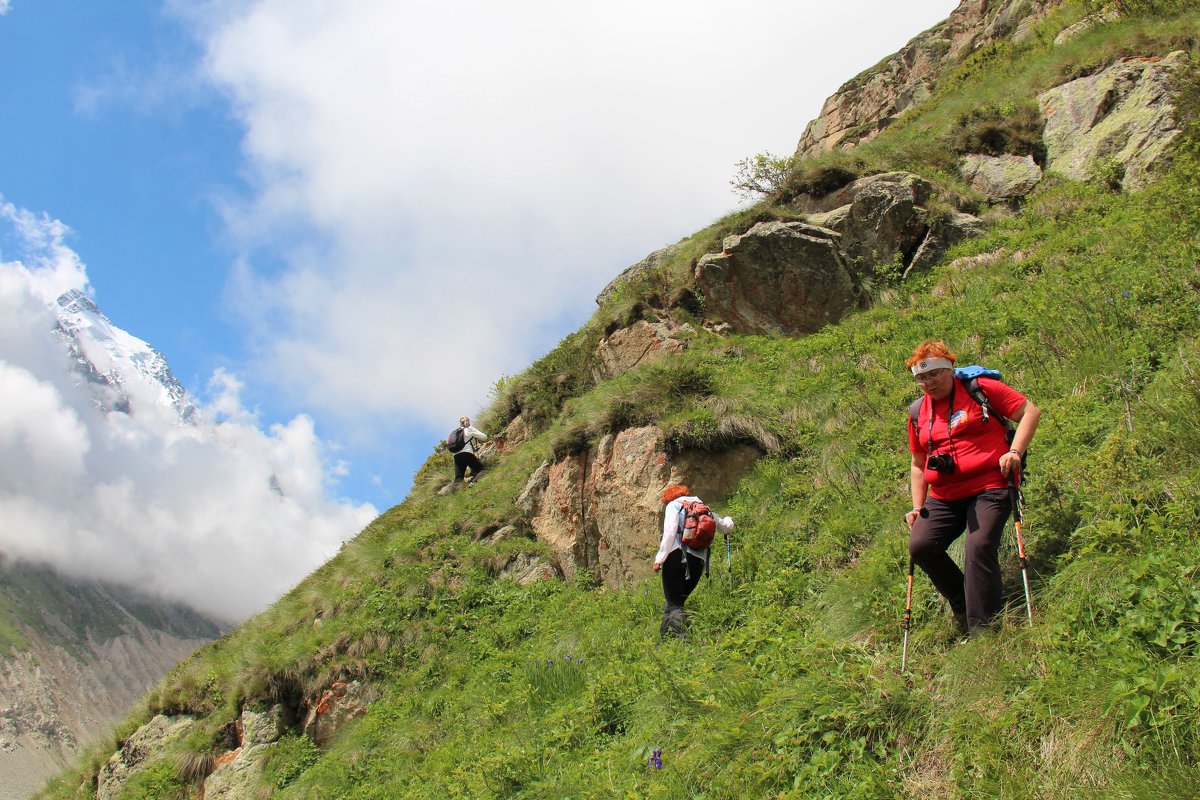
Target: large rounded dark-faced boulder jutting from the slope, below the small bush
x,y
778,278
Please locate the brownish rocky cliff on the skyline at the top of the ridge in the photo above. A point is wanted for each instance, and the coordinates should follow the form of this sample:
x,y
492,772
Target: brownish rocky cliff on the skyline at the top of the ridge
x,y
868,104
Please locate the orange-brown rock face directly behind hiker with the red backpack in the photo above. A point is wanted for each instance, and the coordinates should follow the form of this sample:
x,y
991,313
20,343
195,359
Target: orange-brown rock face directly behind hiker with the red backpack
x,y
601,510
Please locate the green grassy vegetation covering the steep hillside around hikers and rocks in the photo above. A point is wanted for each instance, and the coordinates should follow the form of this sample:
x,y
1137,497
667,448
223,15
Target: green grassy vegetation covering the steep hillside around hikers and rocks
x,y
790,685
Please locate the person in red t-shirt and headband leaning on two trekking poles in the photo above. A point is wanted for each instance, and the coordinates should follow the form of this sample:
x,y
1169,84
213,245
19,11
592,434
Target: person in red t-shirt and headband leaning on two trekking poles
x,y
962,458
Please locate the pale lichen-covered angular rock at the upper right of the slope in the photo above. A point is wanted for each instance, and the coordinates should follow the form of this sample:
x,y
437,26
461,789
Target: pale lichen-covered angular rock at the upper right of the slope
x,y
1121,118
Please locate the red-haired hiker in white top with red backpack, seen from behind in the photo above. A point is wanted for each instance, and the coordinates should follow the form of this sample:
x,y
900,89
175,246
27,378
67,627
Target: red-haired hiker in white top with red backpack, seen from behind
x,y
686,520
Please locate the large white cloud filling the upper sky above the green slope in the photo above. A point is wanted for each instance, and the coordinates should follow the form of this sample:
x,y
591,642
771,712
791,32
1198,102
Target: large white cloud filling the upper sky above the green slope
x,y
440,184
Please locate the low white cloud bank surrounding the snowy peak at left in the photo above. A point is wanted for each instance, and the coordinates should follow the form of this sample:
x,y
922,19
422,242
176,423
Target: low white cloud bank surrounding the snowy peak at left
x,y
221,515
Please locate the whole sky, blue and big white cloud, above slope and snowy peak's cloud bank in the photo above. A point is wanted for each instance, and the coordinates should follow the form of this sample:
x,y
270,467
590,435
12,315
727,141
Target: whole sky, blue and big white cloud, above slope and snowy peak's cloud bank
x,y
367,213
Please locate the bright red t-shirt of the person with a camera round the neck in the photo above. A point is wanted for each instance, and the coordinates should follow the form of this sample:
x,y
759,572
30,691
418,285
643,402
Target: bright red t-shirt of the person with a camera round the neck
x,y
962,432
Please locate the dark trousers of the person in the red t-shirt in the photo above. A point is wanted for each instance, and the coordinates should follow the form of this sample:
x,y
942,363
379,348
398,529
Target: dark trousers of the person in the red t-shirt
x,y
976,591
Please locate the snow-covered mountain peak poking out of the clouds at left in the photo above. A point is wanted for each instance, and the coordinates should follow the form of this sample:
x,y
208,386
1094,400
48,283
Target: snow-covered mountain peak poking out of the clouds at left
x,y
124,374
